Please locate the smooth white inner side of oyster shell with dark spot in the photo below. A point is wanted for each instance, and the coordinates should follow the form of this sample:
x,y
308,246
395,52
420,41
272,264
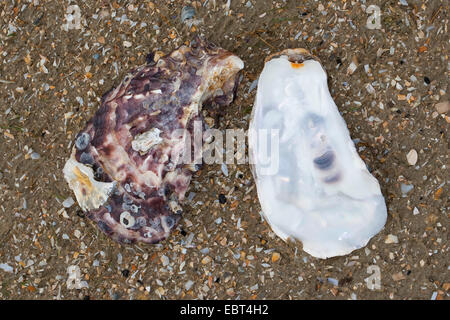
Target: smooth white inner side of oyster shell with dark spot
x,y
312,185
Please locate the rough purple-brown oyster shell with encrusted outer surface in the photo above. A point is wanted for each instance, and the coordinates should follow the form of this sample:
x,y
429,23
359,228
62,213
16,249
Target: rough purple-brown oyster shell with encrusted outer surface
x,y
126,167
